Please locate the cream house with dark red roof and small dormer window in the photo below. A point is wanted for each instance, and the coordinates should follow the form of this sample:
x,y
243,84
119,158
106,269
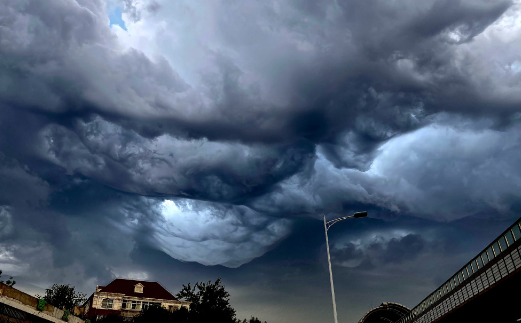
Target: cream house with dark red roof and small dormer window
x,y
128,297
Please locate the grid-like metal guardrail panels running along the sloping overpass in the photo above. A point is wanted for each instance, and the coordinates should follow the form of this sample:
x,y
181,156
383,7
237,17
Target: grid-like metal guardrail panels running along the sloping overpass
x,y
496,262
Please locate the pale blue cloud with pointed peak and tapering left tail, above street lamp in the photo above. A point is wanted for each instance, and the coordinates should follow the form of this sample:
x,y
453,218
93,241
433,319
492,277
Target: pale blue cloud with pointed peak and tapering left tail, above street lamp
x,y
441,172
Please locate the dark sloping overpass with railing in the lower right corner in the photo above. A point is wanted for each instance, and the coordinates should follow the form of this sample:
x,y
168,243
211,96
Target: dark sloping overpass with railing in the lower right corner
x,y
486,289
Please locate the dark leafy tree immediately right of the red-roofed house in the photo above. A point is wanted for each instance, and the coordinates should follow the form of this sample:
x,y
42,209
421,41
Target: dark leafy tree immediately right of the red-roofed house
x,y
210,302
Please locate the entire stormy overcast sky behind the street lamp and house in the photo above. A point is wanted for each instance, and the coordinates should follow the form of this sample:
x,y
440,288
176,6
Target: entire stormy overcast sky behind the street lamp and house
x,y
182,141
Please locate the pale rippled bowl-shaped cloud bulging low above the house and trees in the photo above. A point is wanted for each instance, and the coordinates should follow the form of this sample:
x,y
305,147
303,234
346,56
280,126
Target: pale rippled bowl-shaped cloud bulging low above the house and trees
x,y
216,234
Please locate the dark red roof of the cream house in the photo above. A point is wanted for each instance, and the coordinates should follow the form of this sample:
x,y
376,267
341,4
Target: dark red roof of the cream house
x,y
126,287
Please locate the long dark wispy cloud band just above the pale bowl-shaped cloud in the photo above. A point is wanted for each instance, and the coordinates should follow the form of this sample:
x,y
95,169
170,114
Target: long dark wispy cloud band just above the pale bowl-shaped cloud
x,y
169,166
